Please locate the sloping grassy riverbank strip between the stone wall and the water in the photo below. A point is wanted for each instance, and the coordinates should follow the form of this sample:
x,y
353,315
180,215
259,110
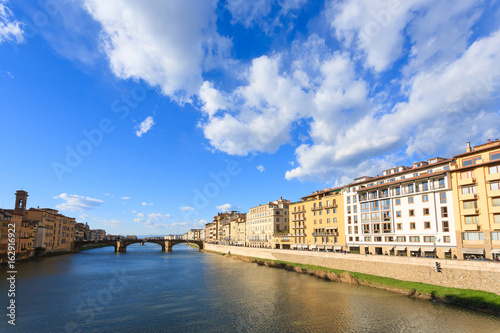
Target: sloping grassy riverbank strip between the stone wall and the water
x,y
472,299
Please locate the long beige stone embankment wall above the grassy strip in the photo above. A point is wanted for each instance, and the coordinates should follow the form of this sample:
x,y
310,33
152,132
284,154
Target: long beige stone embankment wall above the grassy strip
x,y
464,274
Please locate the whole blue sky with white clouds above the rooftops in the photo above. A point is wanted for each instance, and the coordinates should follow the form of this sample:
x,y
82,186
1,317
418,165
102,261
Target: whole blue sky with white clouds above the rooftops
x,y
149,117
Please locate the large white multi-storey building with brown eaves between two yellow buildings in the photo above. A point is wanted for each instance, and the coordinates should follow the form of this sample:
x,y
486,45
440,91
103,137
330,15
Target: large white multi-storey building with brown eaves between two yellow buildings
x,y
408,211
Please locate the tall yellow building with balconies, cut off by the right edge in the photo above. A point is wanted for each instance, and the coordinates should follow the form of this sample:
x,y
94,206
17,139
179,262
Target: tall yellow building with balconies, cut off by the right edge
x,y
476,187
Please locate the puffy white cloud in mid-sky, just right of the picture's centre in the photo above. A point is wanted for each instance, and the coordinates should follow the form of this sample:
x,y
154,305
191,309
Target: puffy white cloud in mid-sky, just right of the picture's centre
x,y
268,106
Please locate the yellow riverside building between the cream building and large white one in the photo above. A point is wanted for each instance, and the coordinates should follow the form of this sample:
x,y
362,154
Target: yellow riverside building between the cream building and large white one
x,y
317,221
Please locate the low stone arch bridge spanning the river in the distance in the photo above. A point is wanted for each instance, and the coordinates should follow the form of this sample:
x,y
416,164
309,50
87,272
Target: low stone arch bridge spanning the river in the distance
x,y
121,245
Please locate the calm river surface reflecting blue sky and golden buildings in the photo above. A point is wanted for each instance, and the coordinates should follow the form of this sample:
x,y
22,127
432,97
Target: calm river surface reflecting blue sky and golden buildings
x,y
145,290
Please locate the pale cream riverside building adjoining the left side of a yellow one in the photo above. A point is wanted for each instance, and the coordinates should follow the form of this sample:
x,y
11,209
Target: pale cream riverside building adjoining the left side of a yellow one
x,y
264,221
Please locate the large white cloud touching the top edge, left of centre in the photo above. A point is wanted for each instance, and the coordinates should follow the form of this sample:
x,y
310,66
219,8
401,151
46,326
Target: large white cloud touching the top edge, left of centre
x,y
166,43
